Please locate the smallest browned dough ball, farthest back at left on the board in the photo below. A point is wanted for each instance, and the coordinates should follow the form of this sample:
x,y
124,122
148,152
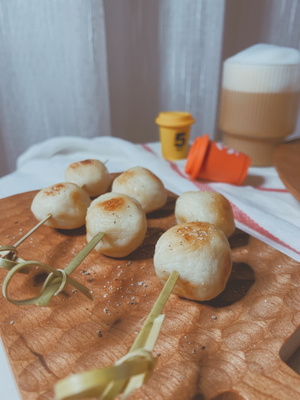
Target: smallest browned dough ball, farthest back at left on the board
x,y
91,175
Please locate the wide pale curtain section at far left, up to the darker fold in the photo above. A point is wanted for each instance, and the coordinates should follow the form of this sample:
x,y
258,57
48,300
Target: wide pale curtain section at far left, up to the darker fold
x,y
53,73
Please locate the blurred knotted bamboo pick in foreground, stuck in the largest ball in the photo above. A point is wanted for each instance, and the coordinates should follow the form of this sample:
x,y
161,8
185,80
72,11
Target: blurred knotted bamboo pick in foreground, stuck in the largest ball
x,y
128,373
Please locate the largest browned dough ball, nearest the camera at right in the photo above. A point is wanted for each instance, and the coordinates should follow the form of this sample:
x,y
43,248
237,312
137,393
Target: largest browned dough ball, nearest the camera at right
x,y
200,253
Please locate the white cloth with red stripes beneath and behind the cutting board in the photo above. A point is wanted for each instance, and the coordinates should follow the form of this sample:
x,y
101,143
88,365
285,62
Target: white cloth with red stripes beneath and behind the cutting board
x,y
262,206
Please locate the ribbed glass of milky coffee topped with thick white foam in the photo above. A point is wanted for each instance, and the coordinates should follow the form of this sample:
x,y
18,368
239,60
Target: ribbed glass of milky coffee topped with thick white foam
x,y
259,102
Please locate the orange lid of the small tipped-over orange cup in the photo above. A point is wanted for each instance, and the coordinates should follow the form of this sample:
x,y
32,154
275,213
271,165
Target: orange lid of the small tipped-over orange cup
x,y
196,156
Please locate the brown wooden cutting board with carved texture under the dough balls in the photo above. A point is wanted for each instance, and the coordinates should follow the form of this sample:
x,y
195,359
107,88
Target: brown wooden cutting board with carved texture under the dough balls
x,y
228,348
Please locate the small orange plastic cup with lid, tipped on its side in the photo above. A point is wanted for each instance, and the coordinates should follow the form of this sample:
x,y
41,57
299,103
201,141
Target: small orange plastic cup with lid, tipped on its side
x,y
213,161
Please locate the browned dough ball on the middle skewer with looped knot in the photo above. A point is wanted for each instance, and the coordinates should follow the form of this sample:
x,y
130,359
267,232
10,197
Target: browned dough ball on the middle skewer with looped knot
x,y
123,221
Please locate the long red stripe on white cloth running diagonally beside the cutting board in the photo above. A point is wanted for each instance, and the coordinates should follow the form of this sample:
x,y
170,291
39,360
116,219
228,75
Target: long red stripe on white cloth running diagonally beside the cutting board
x,y
239,215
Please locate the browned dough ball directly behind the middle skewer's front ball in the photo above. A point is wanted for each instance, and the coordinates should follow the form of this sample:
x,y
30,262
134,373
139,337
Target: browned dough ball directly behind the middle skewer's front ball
x,y
144,186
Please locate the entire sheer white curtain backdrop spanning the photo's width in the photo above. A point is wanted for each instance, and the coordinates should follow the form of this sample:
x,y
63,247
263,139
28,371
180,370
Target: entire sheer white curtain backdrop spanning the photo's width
x,y
108,67
